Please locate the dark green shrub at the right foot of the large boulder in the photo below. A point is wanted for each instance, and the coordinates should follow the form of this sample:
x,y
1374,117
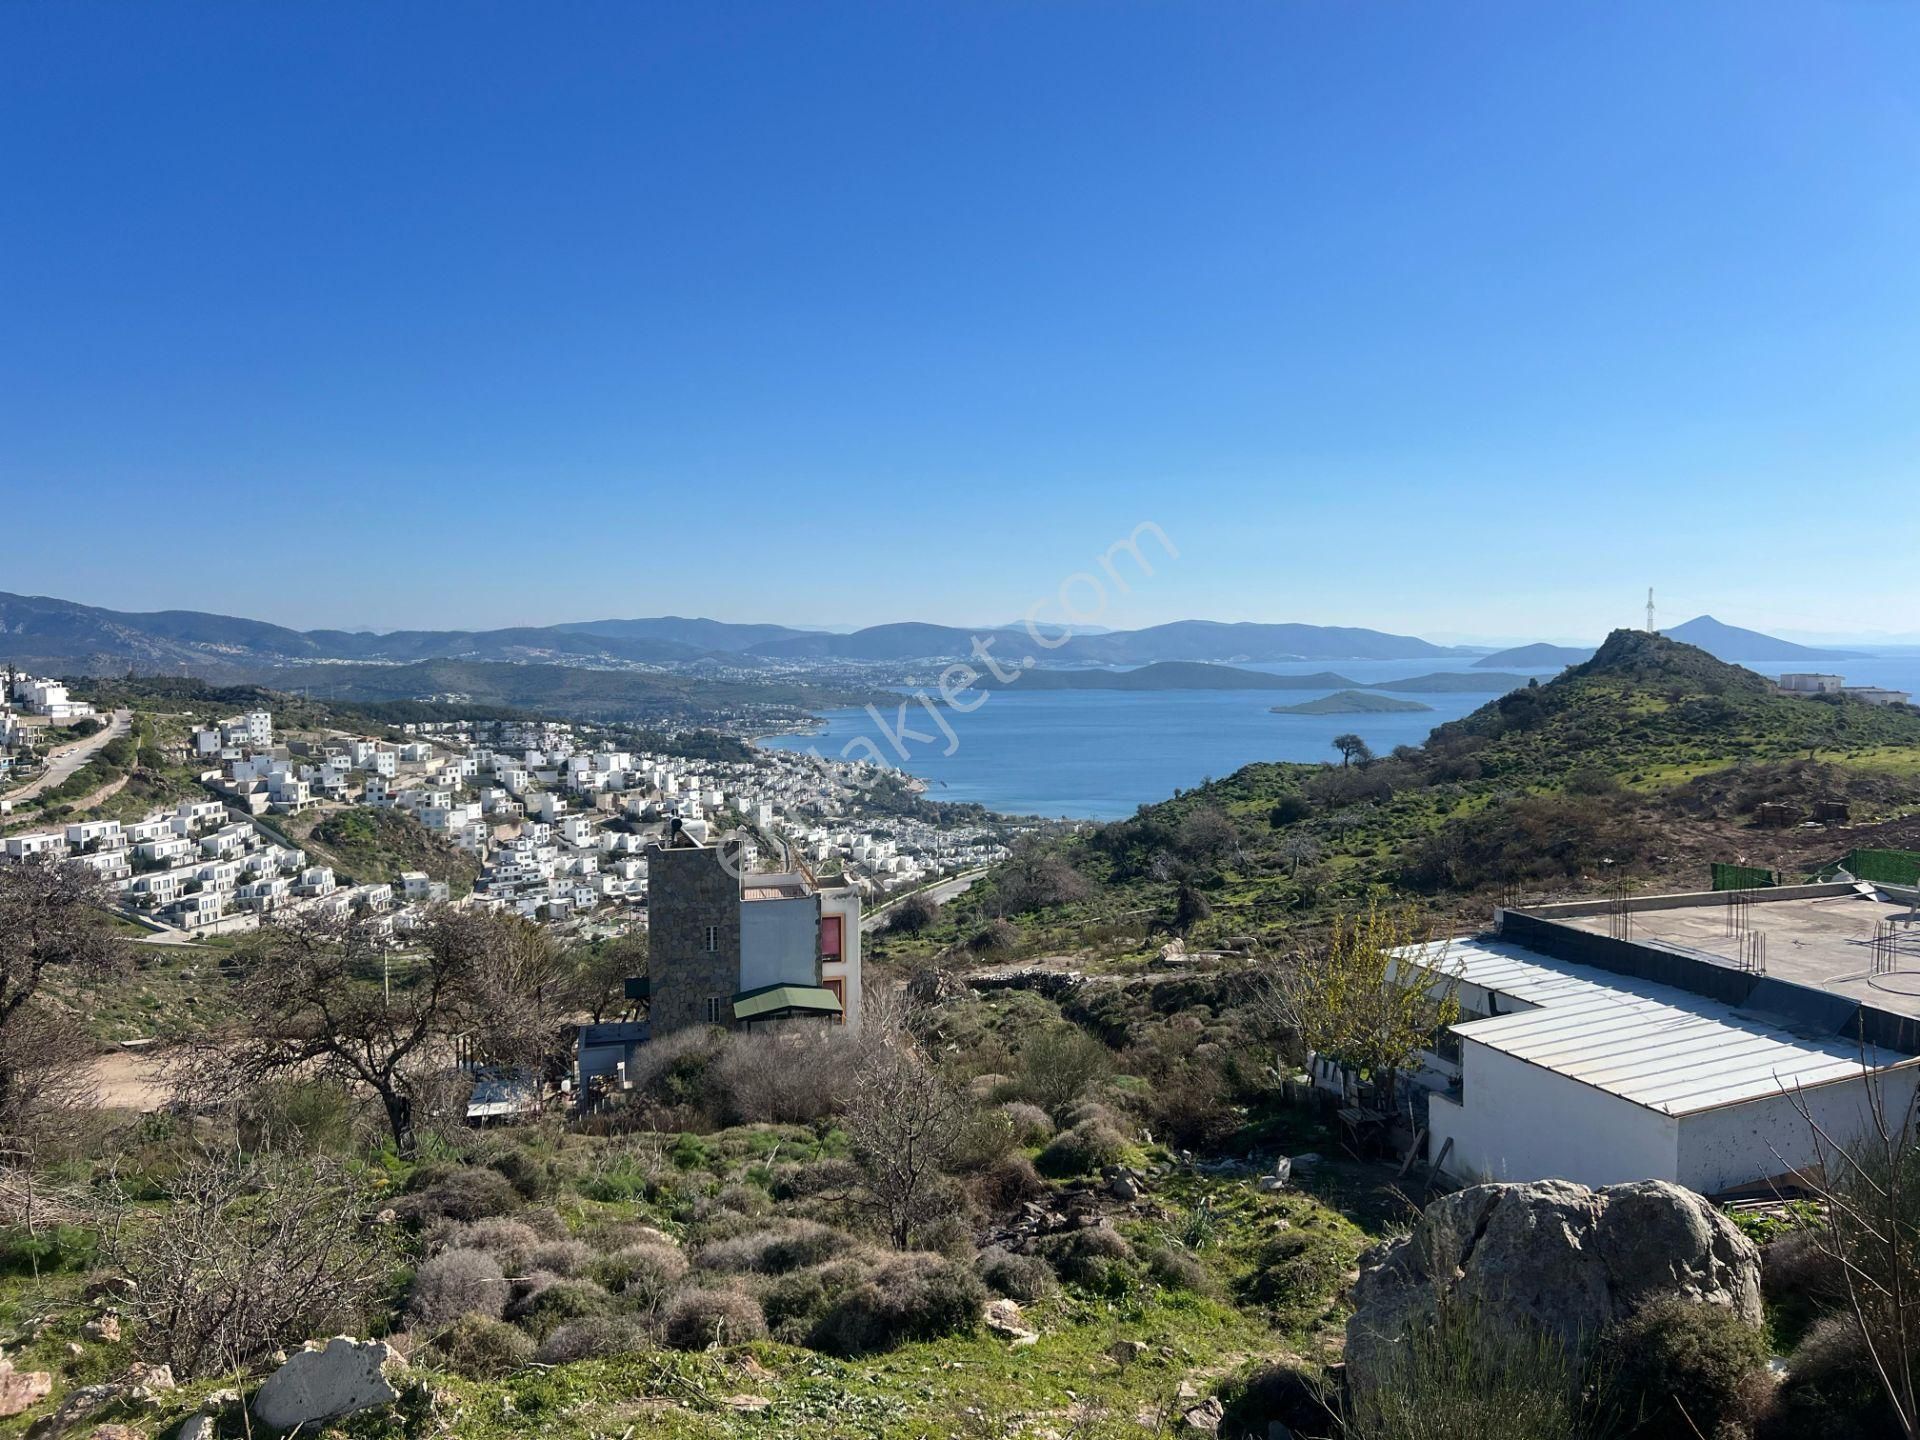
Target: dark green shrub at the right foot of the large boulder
x,y
1681,1364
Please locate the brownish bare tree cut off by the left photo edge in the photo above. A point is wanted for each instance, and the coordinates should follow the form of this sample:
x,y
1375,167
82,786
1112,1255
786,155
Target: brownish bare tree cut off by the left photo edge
x,y
51,921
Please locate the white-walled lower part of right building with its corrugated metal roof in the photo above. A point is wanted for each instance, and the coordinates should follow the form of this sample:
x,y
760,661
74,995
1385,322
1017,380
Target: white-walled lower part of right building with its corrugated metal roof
x,y
1600,1076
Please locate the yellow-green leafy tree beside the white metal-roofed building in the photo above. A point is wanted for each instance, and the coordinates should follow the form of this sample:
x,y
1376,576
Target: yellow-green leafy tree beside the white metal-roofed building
x,y
1360,1003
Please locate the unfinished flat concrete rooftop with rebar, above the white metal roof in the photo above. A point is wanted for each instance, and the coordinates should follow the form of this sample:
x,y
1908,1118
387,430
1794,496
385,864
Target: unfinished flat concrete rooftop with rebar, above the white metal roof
x,y
1823,942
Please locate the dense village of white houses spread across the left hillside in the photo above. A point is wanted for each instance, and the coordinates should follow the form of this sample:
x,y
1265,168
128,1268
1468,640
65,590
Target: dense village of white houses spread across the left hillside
x,y
556,817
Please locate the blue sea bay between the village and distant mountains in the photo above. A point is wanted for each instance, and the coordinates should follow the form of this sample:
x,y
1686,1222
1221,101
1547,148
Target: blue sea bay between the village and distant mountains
x,y
1103,754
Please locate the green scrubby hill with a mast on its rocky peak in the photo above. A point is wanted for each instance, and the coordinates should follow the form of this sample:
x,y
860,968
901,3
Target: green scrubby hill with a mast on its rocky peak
x,y
1644,763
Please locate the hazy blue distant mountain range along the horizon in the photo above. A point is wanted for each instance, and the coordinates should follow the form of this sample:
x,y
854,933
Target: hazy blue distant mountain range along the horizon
x,y
64,636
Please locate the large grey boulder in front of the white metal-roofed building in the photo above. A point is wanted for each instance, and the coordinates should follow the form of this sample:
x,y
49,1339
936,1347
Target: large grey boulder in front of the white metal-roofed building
x,y
1548,1257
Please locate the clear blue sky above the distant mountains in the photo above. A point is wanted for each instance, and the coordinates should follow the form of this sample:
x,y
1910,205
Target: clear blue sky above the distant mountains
x,y
1464,320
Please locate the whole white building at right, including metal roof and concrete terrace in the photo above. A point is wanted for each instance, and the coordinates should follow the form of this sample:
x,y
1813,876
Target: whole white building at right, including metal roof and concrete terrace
x,y
1666,1045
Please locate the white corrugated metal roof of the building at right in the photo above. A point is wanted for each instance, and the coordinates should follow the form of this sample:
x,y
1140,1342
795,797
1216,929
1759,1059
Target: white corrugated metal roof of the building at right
x,y
1648,1044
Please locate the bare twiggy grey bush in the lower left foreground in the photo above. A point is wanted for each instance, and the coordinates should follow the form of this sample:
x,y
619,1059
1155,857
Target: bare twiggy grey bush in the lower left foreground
x,y
251,1257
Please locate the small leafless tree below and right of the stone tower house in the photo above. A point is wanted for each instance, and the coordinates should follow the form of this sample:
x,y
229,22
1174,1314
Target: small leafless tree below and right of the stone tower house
x,y
905,1122
